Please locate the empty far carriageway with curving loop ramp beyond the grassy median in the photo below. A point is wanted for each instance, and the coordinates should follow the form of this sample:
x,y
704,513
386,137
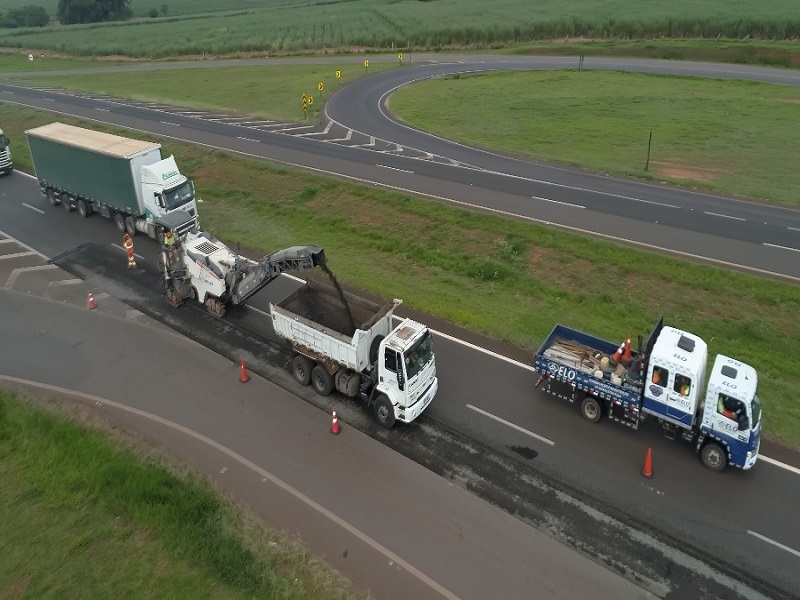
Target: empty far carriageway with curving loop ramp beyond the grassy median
x,y
358,141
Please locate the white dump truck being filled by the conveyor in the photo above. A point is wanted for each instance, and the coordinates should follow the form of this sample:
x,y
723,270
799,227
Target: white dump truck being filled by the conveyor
x,y
340,341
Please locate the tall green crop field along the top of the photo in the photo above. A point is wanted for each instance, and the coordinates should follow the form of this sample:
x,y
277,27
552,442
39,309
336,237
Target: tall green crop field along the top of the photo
x,y
282,26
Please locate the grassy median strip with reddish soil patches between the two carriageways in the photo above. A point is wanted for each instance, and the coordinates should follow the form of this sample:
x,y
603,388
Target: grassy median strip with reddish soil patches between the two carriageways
x,y
490,274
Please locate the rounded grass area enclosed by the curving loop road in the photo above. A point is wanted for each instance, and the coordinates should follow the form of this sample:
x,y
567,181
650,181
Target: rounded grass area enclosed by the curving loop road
x,y
726,136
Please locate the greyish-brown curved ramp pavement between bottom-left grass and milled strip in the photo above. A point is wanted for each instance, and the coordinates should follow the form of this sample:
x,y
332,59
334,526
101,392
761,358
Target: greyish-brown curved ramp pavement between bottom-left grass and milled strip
x,y
393,526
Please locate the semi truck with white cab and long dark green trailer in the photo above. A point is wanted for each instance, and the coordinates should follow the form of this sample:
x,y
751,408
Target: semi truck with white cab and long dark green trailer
x,y
120,178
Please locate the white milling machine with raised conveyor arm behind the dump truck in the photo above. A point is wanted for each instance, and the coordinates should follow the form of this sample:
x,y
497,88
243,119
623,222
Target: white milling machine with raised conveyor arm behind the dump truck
x,y
197,265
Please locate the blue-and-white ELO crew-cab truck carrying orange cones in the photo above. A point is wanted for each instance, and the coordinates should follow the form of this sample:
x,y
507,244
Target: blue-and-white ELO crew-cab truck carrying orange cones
x,y
664,380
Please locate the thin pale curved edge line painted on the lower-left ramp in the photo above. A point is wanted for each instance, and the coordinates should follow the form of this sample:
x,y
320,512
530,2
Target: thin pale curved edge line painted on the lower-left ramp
x,y
255,468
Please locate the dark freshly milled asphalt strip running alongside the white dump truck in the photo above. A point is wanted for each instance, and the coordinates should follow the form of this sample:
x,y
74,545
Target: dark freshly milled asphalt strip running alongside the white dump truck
x,y
504,476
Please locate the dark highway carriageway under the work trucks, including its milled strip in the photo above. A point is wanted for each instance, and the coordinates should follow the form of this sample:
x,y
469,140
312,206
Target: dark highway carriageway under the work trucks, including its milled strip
x,y
516,463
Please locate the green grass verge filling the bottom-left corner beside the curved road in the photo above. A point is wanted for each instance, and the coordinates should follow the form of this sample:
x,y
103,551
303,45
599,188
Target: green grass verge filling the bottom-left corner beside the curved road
x,y
83,517
